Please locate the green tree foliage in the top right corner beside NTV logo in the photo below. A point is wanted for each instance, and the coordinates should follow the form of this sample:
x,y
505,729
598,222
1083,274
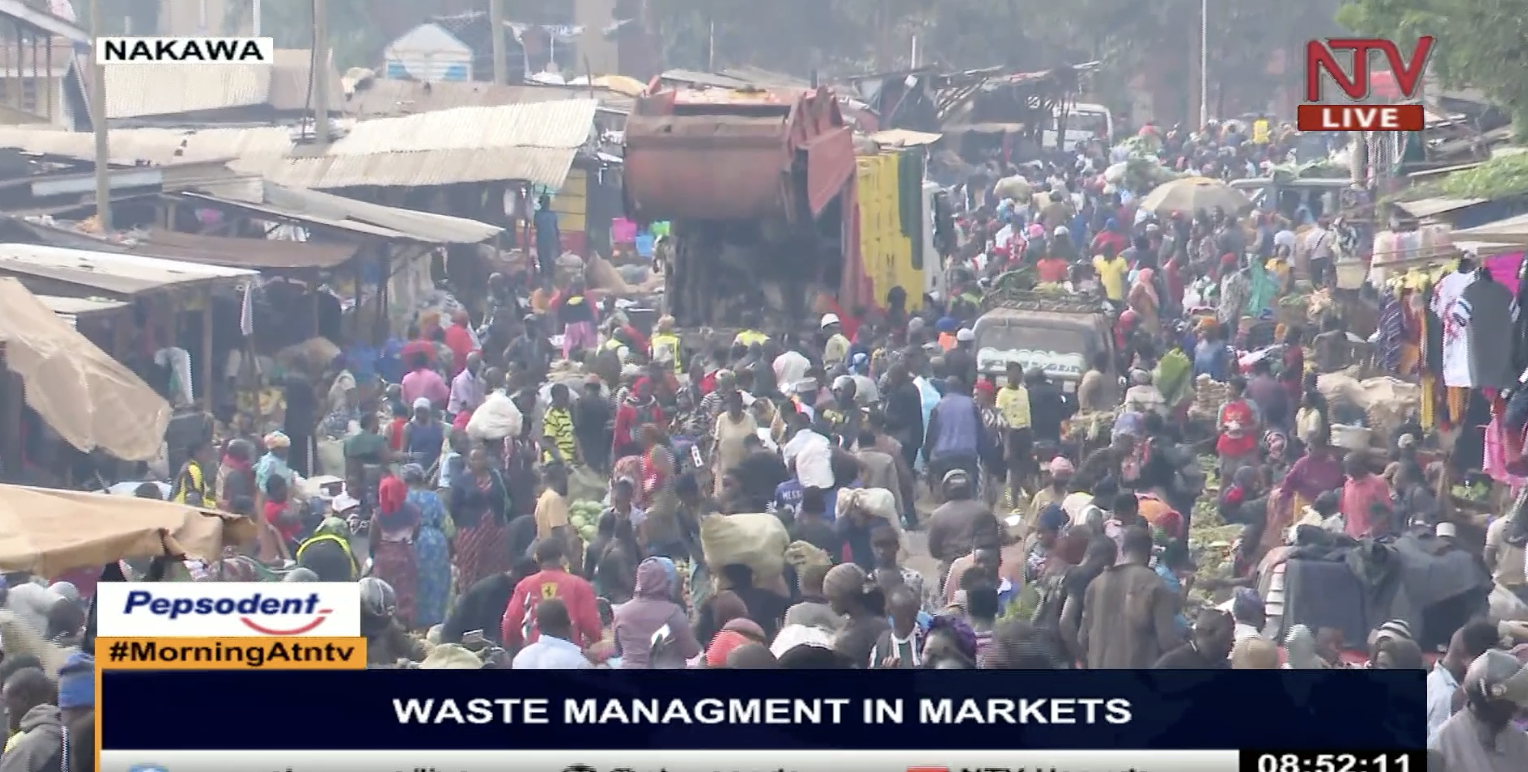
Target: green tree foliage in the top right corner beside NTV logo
x,y
1481,44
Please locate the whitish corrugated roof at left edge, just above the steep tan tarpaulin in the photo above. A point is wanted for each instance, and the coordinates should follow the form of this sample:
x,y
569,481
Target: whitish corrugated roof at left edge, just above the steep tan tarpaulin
x,y
109,273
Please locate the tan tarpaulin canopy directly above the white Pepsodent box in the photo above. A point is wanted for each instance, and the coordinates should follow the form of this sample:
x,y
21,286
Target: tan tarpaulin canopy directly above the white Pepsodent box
x,y
47,531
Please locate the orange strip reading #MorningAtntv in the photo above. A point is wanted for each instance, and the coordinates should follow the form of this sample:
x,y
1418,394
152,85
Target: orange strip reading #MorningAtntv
x,y
231,654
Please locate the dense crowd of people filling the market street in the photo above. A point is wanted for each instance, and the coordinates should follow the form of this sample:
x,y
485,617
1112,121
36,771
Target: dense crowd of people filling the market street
x,y
853,436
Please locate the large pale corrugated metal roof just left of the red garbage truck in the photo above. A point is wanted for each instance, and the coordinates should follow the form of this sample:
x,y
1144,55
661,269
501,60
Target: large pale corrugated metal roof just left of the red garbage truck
x,y
534,143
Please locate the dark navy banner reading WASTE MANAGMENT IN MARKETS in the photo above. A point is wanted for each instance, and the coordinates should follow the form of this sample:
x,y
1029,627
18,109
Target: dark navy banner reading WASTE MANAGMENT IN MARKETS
x,y
746,710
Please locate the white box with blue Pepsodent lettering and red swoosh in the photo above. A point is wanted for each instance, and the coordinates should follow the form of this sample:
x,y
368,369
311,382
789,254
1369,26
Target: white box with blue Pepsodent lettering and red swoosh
x,y
230,609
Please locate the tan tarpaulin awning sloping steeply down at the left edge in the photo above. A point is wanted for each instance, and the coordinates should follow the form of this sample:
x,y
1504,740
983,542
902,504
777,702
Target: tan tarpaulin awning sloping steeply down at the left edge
x,y
91,400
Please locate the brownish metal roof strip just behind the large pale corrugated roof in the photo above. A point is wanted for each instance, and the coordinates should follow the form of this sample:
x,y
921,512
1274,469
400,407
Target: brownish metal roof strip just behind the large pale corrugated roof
x,y
377,97
